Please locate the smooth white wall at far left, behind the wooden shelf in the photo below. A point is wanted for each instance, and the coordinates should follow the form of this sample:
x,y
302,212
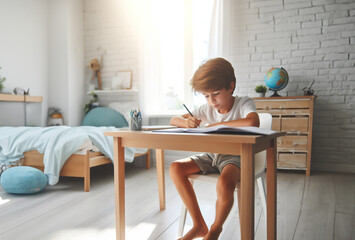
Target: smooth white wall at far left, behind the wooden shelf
x,y
23,57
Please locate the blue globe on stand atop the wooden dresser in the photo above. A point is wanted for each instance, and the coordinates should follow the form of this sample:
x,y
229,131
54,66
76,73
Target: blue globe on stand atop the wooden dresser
x,y
276,79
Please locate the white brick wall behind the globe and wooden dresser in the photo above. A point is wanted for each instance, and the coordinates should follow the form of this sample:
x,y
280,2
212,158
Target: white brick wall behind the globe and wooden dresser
x,y
311,40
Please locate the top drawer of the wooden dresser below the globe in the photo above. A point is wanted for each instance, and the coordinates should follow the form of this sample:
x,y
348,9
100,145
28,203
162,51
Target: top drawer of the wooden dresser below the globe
x,y
284,104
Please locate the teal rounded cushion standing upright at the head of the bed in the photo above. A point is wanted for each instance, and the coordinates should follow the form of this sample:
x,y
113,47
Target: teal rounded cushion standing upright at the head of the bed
x,y
104,117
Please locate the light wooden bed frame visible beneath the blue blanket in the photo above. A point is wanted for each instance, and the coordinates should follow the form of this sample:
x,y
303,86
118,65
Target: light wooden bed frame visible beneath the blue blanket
x,y
77,165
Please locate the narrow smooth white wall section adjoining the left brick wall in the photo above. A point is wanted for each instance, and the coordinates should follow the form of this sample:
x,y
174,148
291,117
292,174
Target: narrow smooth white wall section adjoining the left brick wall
x,y
66,59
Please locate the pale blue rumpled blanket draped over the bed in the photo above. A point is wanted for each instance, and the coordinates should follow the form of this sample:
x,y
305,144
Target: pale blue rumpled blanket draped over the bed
x,y
56,143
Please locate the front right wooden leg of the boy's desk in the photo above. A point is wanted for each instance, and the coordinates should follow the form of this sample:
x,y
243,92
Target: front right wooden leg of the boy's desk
x,y
247,191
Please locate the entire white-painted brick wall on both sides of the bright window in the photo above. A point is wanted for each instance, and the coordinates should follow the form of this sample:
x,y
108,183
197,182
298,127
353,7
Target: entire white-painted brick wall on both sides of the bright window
x,y
310,39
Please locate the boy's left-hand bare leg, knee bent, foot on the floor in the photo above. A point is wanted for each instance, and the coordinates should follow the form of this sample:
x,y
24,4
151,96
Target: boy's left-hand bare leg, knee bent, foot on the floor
x,y
179,172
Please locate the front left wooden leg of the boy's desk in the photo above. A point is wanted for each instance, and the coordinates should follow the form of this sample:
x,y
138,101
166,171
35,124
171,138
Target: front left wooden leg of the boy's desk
x,y
119,173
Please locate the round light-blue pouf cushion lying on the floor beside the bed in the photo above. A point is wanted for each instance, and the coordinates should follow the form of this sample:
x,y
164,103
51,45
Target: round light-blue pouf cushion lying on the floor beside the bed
x,y
23,180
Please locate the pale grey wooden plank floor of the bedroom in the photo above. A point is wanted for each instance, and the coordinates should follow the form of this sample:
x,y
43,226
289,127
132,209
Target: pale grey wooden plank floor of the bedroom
x,y
319,207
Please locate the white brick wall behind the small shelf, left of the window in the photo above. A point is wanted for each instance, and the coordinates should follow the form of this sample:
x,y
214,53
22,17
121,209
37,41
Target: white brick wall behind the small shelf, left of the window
x,y
108,35
